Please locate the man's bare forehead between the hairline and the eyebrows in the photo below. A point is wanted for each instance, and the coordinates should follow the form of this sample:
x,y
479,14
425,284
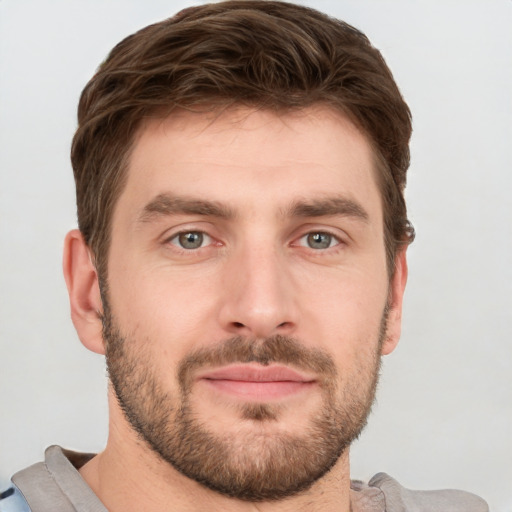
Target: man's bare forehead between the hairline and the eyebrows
x,y
241,154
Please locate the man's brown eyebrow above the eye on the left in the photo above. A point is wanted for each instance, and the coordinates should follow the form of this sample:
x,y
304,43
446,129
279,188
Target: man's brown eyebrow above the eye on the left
x,y
168,204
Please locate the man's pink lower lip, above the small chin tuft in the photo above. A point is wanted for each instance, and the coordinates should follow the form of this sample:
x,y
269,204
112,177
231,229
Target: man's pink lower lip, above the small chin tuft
x,y
258,391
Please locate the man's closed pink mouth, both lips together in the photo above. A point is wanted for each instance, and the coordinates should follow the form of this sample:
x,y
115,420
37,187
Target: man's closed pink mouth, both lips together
x,y
257,383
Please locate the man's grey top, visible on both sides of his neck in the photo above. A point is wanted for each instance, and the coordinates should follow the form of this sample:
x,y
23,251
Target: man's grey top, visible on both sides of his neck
x,y
55,485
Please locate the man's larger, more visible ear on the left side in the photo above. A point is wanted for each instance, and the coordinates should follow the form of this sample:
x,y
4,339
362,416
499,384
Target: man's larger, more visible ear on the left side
x,y
84,291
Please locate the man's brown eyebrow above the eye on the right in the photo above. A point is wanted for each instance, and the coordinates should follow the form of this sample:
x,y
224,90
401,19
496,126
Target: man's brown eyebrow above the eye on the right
x,y
330,206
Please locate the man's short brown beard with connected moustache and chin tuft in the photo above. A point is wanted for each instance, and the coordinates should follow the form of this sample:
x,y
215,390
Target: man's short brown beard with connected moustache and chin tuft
x,y
255,464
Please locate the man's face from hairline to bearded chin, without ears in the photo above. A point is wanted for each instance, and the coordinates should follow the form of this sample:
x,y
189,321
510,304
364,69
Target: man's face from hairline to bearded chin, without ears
x,y
247,295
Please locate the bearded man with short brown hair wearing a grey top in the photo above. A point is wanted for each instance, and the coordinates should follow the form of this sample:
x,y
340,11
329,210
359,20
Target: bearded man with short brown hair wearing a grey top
x,y
241,262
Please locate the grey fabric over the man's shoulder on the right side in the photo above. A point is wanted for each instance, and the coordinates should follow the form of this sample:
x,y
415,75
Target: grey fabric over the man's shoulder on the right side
x,y
399,499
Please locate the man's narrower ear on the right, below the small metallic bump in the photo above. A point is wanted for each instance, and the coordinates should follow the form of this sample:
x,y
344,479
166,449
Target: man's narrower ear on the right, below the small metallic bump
x,y
395,300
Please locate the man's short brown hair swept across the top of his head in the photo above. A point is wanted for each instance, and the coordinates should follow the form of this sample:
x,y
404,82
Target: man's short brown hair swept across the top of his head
x,y
263,54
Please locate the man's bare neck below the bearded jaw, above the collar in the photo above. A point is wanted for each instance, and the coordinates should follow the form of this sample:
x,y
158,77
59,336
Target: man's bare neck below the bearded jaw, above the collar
x,y
127,476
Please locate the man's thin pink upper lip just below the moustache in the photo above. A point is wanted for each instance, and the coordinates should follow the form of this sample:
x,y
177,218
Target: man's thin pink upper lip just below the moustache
x,y
258,373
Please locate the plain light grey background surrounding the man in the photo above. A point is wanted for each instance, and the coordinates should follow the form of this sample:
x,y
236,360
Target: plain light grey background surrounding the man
x,y
444,412
